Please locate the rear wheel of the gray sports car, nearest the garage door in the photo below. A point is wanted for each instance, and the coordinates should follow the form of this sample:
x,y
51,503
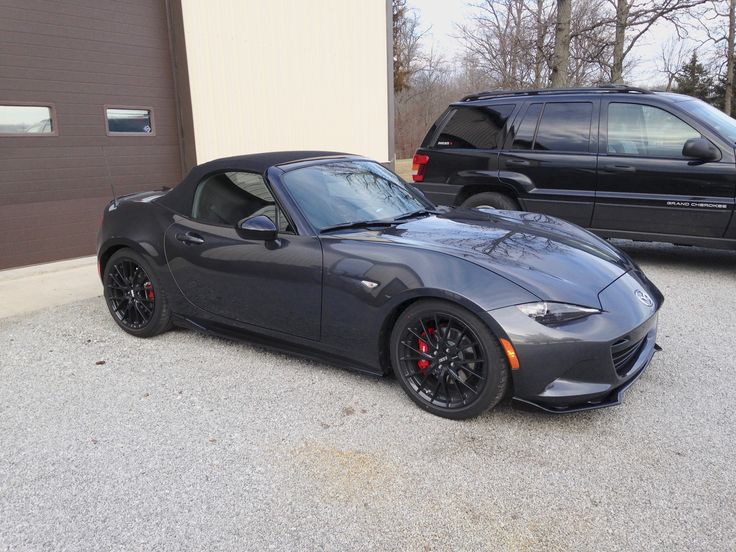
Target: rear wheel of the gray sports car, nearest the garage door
x,y
134,295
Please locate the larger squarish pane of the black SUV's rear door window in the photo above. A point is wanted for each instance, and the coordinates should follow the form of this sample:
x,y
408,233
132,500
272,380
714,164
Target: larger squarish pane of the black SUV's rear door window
x,y
565,127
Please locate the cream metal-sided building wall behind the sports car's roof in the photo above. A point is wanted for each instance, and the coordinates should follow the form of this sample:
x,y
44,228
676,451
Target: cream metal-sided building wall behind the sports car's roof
x,y
270,75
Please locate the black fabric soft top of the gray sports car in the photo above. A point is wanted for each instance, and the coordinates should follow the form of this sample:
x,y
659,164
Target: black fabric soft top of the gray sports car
x,y
180,198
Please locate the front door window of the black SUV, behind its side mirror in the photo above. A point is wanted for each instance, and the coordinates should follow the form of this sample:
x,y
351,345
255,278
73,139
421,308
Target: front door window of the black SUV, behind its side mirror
x,y
646,131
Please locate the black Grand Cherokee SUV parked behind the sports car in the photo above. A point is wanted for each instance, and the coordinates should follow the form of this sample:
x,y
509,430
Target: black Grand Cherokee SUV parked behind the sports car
x,y
622,161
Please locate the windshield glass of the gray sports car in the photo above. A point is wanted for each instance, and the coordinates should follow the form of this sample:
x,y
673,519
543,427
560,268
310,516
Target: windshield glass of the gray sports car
x,y
350,193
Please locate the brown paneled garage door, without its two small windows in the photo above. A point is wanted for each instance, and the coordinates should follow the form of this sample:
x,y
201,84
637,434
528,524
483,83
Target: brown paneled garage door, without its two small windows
x,y
80,55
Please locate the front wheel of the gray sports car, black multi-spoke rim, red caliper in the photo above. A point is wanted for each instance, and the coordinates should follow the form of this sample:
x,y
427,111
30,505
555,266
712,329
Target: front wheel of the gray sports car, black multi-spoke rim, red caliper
x,y
469,376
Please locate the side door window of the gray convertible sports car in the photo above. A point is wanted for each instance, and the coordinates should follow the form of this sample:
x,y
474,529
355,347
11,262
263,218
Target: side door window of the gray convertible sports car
x,y
227,197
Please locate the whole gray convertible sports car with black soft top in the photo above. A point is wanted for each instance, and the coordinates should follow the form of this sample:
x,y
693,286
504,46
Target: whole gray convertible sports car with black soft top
x,y
334,256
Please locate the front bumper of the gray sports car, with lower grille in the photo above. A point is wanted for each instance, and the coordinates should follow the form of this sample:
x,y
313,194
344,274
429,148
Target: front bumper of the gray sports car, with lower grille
x,y
586,364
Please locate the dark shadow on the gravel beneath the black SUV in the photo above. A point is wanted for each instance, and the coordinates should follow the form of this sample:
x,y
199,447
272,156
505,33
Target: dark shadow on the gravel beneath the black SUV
x,y
677,255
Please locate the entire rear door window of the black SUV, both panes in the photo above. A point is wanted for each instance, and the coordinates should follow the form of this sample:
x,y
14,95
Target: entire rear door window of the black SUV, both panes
x,y
563,127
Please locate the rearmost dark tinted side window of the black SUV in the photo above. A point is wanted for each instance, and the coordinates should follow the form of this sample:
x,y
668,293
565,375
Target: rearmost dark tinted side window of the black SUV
x,y
475,127
